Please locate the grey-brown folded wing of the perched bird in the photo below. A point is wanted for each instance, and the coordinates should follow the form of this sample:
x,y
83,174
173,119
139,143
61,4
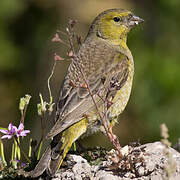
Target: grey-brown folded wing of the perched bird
x,y
75,100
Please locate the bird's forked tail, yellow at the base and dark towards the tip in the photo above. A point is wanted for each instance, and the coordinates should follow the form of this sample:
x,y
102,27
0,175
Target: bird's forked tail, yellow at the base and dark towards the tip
x,y
54,155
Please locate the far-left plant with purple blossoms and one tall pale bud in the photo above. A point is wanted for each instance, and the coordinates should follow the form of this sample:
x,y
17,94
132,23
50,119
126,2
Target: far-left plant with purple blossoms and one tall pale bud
x,y
17,134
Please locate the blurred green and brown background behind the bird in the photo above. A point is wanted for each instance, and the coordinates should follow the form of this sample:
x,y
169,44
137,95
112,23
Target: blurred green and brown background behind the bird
x,y
26,57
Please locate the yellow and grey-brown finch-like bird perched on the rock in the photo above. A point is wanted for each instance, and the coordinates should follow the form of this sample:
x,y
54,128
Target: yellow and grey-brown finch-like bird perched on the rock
x,y
104,63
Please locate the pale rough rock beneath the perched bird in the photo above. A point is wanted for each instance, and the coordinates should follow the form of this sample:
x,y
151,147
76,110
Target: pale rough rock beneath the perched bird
x,y
159,163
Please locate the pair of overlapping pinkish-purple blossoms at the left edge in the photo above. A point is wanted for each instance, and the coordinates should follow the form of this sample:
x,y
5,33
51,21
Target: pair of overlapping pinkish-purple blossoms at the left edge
x,y
13,130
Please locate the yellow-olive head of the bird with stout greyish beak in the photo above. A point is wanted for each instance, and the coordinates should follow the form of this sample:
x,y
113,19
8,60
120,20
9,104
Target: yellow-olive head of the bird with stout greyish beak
x,y
114,24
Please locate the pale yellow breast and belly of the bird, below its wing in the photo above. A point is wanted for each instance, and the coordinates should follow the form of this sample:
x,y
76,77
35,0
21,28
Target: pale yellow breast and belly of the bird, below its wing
x,y
120,101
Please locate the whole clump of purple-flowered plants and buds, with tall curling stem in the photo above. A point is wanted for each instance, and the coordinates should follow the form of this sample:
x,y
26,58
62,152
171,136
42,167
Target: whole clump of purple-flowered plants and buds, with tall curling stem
x,y
15,167
